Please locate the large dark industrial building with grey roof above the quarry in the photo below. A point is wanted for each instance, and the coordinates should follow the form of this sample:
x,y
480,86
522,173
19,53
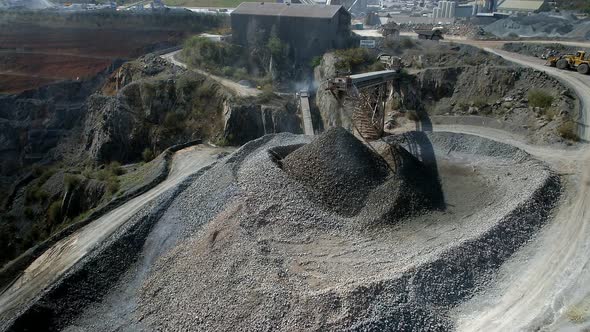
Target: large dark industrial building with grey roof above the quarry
x,y
308,30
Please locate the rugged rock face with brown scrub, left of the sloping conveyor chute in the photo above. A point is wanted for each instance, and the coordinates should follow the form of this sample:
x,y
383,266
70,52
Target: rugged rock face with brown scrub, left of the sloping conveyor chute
x,y
163,113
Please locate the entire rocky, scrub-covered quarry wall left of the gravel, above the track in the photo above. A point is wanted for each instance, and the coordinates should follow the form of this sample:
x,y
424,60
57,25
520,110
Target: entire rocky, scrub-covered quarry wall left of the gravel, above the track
x,y
142,109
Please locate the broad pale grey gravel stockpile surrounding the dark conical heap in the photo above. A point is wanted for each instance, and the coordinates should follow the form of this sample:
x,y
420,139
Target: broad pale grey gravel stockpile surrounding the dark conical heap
x,y
245,247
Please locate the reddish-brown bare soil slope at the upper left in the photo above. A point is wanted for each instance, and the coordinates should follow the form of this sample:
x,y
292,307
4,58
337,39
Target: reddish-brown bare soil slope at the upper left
x,y
31,56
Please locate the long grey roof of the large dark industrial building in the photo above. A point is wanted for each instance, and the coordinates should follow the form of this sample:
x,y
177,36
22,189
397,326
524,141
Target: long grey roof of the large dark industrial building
x,y
282,9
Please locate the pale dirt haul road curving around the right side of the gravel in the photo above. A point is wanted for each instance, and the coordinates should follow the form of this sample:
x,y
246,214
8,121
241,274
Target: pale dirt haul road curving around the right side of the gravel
x,y
546,286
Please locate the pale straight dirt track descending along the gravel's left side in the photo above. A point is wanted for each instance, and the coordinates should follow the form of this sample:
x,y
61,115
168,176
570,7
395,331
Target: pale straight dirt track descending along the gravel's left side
x,y
50,266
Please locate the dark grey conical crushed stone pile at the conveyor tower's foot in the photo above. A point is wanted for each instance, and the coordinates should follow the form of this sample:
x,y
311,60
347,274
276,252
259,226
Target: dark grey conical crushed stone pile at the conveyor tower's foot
x,y
338,170
